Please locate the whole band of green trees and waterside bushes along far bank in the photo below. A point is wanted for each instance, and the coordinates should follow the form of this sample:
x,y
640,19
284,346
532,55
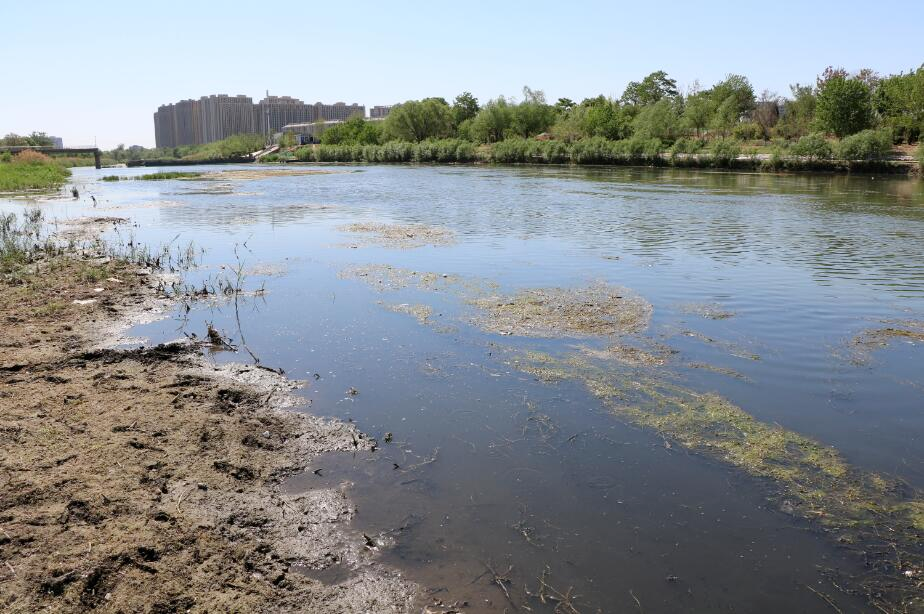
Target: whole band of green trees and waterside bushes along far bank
x,y
844,121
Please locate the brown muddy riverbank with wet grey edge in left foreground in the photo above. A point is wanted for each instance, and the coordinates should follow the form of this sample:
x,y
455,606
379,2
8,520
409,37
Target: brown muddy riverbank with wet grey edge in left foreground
x,y
147,479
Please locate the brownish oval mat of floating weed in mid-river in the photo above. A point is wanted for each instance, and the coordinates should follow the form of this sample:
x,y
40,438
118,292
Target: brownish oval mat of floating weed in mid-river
x,y
600,309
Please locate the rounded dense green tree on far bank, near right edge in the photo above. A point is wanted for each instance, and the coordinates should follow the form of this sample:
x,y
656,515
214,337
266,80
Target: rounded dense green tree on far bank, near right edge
x,y
844,105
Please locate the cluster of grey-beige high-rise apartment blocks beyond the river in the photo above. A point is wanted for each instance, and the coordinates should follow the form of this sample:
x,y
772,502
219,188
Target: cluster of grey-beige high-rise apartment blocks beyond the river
x,y
212,118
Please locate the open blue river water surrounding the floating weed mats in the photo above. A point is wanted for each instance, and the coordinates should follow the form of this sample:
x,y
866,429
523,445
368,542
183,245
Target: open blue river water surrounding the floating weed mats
x,y
760,285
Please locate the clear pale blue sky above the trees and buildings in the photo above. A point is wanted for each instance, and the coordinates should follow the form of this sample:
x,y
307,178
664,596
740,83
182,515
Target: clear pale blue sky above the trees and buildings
x,y
99,69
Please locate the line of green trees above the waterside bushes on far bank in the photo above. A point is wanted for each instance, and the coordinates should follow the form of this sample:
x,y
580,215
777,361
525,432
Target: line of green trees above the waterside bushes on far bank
x,y
838,105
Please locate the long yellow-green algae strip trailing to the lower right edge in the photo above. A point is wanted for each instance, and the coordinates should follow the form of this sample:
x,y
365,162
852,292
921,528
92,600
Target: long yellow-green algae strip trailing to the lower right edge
x,y
881,517
